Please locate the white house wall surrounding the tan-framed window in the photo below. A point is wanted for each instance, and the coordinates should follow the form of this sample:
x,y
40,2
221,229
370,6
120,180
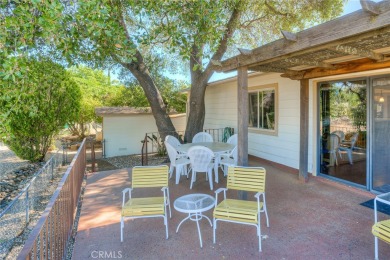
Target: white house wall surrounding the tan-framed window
x,y
283,148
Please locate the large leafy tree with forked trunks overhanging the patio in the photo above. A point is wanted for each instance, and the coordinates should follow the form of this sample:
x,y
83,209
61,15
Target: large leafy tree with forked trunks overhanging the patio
x,y
126,33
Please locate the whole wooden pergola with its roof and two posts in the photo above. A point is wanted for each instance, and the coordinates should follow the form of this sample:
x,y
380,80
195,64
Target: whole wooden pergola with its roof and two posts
x,y
356,42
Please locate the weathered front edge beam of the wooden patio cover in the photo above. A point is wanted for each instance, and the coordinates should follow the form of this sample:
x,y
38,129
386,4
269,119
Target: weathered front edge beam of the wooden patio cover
x,y
350,28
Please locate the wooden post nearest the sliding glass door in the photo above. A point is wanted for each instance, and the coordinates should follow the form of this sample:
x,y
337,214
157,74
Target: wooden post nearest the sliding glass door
x,y
304,127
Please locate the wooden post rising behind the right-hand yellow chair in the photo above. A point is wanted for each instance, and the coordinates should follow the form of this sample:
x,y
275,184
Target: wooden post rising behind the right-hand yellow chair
x,y
242,121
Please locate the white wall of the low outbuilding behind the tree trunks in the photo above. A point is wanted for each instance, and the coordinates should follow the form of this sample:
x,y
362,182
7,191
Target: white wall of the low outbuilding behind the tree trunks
x,y
123,134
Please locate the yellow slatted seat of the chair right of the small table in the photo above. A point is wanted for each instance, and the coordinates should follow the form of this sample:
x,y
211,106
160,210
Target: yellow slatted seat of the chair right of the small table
x,y
237,210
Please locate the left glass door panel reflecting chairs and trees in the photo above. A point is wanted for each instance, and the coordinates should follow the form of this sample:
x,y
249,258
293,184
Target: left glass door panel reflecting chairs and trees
x,y
342,130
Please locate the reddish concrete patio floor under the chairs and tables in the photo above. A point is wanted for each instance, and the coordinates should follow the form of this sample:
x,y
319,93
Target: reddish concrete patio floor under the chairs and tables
x,y
320,219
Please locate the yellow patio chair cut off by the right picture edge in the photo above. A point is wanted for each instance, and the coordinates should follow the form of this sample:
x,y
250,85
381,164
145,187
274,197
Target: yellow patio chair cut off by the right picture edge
x,y
381,229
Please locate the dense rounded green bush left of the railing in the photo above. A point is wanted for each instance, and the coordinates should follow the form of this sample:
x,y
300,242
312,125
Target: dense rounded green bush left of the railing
x,y
37,107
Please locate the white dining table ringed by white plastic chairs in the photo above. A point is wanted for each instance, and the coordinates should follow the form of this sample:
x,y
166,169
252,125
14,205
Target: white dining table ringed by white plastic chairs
x,y
217,147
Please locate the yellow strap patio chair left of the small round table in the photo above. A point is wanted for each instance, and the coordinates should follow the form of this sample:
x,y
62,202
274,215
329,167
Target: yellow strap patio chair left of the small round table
x,y
147,177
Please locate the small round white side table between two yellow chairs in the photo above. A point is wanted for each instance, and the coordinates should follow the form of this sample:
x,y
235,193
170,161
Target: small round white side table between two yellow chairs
x,y
194,204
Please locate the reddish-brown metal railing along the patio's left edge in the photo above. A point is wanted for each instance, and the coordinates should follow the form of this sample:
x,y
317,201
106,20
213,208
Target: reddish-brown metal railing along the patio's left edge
x,y
51,235
